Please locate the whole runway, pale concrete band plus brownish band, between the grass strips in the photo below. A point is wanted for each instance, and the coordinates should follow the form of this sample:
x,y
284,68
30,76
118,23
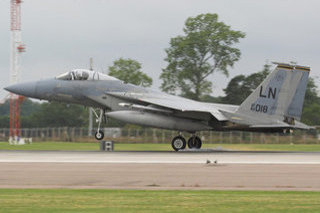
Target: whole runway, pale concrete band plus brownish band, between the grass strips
x,y
160,170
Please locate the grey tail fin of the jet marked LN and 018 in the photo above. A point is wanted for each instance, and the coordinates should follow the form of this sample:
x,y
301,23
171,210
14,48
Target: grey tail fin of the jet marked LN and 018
x,y
280,96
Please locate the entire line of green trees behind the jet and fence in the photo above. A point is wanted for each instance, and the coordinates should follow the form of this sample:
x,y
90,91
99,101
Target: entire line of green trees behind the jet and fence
x,y
206,46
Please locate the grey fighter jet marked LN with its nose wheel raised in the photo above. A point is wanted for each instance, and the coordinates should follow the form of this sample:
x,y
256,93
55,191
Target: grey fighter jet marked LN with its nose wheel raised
x,y
275,106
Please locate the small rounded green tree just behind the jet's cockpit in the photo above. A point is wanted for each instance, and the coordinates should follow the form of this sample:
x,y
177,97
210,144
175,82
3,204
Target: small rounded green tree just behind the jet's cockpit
x,y
129,71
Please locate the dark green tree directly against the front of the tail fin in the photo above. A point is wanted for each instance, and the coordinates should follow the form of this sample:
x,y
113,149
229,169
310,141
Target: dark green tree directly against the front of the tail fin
x,y
240,87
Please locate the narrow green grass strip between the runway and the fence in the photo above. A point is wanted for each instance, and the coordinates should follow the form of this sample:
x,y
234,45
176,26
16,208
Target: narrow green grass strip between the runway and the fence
x,y
155,147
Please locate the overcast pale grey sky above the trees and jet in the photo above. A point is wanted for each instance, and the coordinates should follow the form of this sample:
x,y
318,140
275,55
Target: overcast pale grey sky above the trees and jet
x,y
63,35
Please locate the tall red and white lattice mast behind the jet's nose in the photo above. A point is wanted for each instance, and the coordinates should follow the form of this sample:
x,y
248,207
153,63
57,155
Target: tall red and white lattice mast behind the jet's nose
x,y
16,49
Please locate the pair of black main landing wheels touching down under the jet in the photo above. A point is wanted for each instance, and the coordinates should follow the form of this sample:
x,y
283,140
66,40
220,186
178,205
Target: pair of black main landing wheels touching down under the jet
x,y
179,143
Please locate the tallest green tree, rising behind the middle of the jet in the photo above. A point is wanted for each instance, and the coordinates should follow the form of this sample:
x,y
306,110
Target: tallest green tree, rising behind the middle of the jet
x,y
206,47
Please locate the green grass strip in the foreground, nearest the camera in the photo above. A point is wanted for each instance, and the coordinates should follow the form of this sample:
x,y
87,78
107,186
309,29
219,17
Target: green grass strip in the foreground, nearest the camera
x,y
66,200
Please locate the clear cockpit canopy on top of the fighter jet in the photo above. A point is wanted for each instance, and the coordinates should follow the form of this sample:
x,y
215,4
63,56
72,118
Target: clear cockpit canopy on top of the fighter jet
x,y
83,75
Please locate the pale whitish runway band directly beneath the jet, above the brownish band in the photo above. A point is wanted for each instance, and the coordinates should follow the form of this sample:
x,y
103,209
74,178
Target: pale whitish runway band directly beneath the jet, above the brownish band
x,y
160,157
